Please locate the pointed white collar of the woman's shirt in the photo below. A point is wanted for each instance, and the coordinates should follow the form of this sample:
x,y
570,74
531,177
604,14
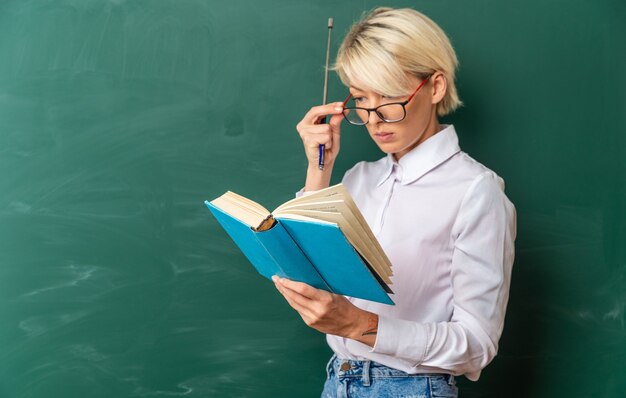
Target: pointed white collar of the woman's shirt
x,y
423,158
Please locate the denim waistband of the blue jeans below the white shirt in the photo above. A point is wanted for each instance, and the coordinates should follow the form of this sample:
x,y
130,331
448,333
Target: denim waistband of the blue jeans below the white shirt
x,y
348,368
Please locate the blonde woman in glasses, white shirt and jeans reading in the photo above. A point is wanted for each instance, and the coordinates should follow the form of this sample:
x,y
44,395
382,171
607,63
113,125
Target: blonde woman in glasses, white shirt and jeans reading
x,y
442,218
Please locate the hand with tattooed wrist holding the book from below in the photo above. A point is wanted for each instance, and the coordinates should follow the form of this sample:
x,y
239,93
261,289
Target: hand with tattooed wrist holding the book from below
x,y
329,313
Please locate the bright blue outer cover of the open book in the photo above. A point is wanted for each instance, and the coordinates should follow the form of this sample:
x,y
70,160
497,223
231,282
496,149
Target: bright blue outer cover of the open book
x,y
315,253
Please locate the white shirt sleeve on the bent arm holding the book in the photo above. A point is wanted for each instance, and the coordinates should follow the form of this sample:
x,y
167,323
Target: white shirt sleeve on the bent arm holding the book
x,y
482,260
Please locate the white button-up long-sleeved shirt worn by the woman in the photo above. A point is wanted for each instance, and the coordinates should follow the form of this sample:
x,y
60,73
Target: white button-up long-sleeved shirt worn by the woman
x,y
448,229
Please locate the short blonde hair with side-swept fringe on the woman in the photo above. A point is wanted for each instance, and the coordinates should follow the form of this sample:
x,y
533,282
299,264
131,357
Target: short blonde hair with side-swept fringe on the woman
x,y
387,44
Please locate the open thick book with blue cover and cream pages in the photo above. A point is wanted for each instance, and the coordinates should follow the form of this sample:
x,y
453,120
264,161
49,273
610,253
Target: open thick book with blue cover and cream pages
x,y
320,239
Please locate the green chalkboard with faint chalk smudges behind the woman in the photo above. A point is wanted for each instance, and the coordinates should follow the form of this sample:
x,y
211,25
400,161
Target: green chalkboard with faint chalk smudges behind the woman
x,y
118,118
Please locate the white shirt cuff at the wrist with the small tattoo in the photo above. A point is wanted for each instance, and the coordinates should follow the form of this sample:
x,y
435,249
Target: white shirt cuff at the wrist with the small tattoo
x,y
401,338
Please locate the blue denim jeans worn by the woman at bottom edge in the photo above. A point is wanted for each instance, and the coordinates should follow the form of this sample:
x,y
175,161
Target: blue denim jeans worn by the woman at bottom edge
x,y
348,379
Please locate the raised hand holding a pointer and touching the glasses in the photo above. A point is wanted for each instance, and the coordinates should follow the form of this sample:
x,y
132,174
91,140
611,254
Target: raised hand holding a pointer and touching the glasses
x,y
313,134
